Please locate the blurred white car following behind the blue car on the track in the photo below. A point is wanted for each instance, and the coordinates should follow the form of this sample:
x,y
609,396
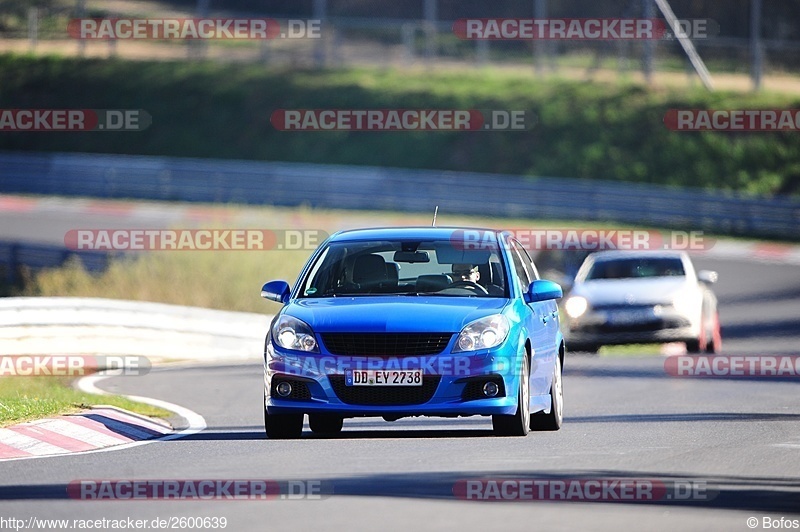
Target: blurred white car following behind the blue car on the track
x,y
631,297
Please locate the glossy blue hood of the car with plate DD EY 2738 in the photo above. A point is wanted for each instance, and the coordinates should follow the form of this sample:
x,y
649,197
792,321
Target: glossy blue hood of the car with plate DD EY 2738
x,y
392,313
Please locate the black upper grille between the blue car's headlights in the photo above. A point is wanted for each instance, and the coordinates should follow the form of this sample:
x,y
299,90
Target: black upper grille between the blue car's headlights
x,y
385,344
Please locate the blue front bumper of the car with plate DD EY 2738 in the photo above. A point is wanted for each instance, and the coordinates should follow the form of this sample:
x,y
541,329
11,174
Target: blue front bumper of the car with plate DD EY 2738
x,y
449,384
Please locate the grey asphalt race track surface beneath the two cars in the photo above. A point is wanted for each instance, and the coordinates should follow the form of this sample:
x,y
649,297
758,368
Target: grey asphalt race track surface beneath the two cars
x,y
736,439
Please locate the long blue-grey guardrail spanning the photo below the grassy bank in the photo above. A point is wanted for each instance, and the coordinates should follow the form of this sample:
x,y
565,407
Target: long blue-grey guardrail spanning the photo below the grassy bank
x,y
358,187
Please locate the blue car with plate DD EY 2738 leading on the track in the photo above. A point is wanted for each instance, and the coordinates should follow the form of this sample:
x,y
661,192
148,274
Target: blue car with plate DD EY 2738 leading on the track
x,y
414,321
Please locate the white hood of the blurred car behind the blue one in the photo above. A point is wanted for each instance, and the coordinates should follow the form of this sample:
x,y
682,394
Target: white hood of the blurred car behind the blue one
x,y
654,290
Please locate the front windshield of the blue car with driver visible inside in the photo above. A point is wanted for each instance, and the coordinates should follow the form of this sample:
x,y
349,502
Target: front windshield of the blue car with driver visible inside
x,y
386,267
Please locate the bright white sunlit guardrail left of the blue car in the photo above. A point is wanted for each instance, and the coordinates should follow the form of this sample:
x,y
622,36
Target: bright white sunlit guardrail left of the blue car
x,y
73,325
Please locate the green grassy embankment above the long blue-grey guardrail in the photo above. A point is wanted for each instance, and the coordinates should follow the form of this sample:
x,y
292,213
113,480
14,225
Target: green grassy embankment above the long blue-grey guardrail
x,y
588,130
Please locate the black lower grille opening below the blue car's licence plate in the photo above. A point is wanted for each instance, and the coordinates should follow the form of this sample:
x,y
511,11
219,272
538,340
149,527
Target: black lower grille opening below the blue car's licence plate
x,y
385,395
